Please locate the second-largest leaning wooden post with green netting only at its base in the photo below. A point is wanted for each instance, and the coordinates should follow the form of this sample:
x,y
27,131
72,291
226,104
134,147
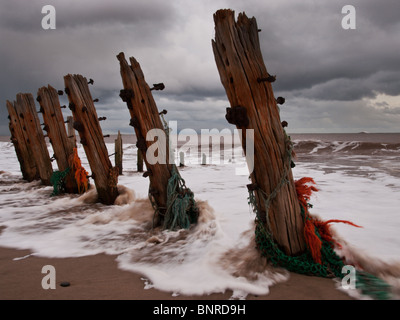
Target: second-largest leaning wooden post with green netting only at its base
x,y
173,203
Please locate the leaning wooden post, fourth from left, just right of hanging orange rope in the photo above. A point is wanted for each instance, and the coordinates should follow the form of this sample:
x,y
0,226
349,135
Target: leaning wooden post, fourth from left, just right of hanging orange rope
x,y
87,124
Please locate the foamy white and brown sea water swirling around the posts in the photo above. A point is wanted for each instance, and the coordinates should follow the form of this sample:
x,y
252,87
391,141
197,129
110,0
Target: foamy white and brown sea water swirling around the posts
x,y
358,177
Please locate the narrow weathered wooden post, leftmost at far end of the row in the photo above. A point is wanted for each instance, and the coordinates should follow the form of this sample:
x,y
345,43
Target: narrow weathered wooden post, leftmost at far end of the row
x,y
19,138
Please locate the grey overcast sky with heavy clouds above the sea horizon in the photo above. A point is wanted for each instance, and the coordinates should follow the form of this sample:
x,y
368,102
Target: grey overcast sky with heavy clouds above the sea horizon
x,y
334,80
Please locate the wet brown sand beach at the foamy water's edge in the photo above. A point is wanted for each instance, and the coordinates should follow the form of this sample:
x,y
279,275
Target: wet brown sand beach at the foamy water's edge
x,y
97,277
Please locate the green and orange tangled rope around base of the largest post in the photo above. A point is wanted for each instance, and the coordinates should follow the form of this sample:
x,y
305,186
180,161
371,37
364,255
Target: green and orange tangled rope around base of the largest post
x,y
320,258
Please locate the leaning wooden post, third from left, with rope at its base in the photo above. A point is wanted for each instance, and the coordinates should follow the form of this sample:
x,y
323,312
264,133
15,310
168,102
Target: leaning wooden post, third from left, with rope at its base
x,y
55,127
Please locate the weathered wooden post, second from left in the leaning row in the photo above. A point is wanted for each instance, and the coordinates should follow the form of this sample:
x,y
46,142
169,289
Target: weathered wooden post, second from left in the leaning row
x,y
25,107
